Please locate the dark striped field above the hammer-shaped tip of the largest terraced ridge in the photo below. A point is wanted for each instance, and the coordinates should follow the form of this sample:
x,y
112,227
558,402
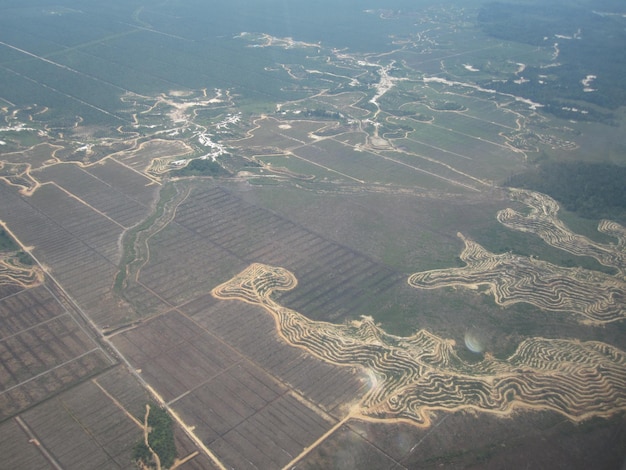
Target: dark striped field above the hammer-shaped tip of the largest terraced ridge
x,y
225,233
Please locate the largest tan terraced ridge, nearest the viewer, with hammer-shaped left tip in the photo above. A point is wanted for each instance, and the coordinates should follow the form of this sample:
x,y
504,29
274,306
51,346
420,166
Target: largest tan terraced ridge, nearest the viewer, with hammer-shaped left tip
x,y
414,377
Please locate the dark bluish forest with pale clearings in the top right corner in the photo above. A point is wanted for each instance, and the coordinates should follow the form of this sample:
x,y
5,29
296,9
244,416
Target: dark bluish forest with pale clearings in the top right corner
x,y
597,47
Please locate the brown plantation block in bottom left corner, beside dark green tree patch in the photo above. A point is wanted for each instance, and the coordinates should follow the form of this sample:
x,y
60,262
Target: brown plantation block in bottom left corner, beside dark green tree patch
x,y
94,425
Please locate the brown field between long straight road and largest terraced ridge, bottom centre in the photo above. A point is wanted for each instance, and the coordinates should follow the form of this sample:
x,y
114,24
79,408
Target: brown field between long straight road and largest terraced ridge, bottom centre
x,y
227,374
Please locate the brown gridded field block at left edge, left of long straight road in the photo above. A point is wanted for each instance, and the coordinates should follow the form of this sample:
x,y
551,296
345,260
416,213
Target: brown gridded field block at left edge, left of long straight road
x,y
43,350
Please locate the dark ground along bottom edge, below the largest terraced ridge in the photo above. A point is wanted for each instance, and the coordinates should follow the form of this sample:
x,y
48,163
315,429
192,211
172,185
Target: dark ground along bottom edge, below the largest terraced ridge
x,y
501,443
